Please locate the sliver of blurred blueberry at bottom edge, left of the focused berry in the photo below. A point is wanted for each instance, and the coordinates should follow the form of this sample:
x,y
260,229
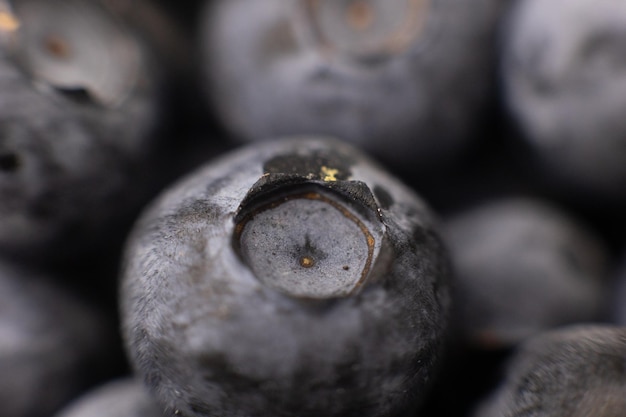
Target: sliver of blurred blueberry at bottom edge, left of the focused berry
x,y
124,397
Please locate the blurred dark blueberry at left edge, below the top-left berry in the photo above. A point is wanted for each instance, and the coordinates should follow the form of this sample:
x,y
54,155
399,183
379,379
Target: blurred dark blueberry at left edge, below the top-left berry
x,y
52,345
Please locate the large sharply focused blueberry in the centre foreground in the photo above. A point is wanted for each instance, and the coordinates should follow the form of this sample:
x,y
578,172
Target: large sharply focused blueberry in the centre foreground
x,y
293,277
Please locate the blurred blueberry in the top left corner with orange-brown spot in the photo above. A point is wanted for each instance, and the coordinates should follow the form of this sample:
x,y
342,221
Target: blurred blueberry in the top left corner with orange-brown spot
x,y
79,110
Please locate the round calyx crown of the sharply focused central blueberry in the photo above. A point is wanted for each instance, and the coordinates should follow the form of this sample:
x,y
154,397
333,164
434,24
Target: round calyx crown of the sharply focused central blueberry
x,y
312,235
